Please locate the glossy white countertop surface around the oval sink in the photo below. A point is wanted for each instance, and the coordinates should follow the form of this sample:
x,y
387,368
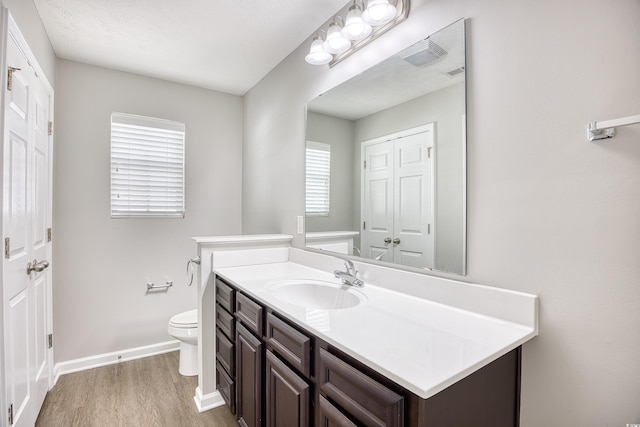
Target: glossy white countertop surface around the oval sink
x,y
420,344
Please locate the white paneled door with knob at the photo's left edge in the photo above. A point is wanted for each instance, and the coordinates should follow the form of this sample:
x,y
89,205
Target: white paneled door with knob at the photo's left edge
x,y
26,219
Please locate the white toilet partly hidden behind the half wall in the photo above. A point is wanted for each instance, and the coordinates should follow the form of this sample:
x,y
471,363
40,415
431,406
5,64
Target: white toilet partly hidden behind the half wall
x,y
184,327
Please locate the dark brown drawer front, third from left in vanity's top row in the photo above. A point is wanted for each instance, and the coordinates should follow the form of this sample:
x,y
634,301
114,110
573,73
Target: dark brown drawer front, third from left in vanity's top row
x,y
291,344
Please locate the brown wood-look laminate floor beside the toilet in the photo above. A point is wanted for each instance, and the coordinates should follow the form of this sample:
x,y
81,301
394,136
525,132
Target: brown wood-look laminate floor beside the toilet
x,y
139,393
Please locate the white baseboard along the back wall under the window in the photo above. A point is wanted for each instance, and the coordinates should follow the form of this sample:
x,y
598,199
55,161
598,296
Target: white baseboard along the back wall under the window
x,y
91,362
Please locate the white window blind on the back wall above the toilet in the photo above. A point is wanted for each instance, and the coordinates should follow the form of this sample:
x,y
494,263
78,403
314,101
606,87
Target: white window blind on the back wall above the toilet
x,y
147,167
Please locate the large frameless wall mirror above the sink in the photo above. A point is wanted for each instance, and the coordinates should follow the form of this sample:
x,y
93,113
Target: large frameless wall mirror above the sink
x,y
386,165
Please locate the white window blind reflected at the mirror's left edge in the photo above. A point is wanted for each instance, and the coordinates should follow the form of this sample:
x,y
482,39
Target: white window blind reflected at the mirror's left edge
x,y
318,183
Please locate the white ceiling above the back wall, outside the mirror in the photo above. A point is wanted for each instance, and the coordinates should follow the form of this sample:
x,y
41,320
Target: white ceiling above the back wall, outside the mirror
x,y
224,45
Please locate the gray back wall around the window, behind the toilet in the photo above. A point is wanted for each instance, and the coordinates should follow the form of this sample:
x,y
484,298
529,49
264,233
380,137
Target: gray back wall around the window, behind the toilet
x,y
101,264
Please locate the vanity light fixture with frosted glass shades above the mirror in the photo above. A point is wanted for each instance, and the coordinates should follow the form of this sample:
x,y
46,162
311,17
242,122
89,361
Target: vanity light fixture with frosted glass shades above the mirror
x,y
364,21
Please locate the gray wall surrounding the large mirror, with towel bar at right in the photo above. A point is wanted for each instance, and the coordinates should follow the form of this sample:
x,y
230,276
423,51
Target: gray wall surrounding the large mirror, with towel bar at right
x,y
548,212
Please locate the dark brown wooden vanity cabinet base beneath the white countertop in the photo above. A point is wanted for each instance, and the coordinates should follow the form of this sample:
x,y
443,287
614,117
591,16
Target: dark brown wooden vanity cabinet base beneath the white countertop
x,y
274,373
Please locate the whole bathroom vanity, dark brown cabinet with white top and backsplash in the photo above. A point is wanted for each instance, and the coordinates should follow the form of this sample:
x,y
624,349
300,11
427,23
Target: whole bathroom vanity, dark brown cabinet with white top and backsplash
x,y
444,353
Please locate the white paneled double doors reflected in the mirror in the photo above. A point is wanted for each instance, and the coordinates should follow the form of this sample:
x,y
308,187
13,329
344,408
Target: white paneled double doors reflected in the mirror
x,y
398,194
